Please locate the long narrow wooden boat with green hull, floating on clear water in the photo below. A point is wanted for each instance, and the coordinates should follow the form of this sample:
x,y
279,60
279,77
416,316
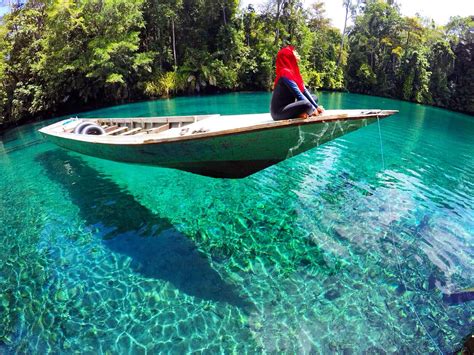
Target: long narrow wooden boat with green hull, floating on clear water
x,y
211,145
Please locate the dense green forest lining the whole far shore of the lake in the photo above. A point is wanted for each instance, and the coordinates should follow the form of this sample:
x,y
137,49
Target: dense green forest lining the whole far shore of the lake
x,y
67,55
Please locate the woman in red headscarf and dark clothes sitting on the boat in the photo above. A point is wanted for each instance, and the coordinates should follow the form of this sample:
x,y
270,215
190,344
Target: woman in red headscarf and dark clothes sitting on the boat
x,y
290,97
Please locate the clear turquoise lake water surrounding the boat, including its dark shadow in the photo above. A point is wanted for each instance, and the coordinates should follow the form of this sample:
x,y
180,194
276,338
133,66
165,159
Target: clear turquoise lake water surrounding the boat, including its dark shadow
x,y
332,251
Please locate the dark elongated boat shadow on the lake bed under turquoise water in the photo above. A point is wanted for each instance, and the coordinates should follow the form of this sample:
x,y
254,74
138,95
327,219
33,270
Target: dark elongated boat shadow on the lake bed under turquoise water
x,y
157,249
